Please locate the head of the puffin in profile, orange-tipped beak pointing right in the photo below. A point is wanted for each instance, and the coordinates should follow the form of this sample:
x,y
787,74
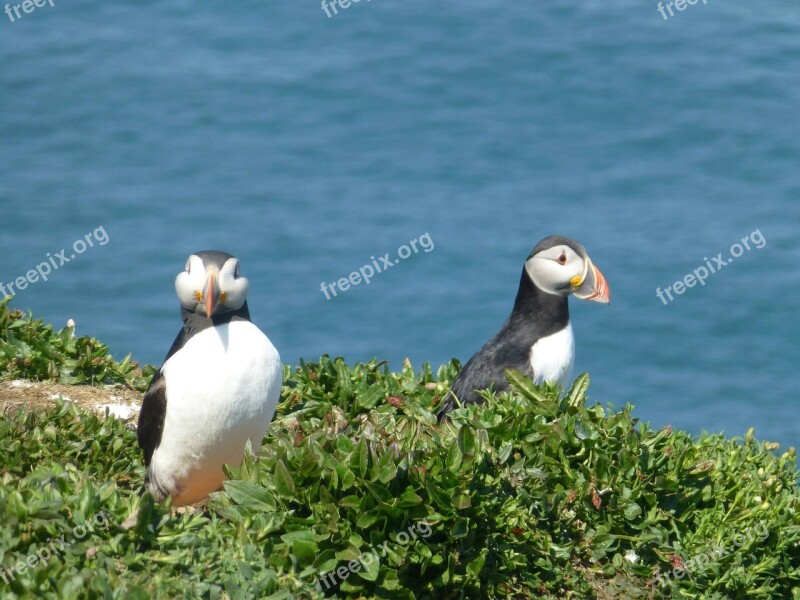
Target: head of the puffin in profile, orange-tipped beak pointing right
x,y
559,265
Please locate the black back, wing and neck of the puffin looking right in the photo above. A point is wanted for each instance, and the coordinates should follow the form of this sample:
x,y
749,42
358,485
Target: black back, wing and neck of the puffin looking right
x,y
536,314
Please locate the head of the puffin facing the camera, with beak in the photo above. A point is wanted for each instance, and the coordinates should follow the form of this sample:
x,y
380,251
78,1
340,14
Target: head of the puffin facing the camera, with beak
x,y
211,284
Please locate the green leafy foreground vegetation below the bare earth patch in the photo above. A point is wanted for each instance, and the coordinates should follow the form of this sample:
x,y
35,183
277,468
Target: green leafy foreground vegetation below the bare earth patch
x,y
530,495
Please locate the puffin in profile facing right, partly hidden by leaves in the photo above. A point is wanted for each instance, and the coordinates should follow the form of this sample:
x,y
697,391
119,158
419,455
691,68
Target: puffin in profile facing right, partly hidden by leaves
x,y
537,337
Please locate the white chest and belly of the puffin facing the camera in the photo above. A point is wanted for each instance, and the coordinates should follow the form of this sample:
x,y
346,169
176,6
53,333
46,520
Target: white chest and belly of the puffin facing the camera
x,y
222,388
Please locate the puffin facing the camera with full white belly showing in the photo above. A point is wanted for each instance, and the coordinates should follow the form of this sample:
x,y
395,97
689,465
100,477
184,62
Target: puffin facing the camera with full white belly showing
x,y
218,387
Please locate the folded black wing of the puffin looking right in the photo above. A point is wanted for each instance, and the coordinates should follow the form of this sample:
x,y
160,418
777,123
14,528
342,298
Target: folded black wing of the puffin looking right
x,y
486,369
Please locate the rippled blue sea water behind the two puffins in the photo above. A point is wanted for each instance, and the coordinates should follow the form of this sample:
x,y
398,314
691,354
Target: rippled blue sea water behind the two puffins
x,y
306,145
